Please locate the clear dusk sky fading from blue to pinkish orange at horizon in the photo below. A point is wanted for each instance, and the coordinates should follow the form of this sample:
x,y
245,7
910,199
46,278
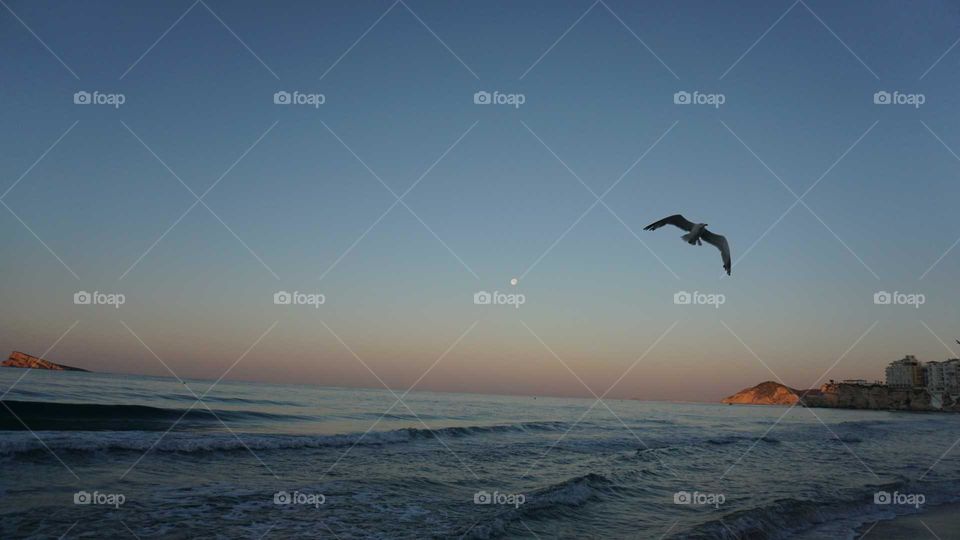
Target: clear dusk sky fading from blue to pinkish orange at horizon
x,y
826,197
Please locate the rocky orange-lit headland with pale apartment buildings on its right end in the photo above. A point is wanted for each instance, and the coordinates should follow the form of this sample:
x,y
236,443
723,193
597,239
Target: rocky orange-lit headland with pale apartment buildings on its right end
x,y
909,385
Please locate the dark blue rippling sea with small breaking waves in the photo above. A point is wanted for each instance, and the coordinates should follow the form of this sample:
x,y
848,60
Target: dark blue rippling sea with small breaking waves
x,y
286,461
